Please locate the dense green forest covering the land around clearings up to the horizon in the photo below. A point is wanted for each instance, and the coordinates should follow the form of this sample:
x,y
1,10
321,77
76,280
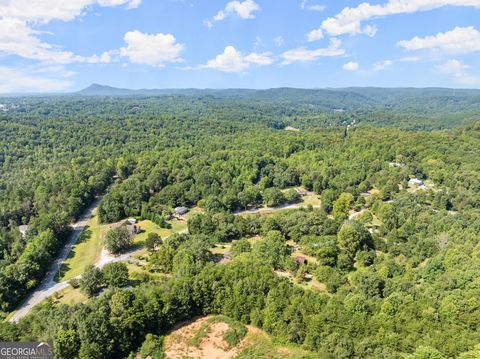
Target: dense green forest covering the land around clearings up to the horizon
x,y
401,277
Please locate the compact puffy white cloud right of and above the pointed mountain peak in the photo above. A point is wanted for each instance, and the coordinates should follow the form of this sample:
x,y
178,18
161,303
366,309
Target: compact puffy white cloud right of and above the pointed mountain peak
x,y
151,49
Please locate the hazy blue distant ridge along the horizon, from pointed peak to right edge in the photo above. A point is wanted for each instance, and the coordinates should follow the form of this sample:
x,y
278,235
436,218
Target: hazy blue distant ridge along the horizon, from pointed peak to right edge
x,y
352,98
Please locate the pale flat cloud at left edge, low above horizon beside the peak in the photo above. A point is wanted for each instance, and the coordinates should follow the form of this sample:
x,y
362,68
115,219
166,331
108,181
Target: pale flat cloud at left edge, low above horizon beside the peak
x,y
17,80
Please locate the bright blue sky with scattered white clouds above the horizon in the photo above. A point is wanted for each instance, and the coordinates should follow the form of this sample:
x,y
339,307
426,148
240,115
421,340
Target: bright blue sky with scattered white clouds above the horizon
x,y
58,45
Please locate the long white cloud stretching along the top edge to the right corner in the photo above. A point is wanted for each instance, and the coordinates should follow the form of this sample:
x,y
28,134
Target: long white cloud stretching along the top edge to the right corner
x,y
349,20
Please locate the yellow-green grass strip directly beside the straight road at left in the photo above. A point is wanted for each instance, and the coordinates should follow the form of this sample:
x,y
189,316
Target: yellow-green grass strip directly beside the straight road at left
x,y
85,251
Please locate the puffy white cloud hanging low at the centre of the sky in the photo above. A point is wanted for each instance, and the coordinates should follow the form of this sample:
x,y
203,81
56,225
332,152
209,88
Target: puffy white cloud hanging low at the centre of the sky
x,y
232,60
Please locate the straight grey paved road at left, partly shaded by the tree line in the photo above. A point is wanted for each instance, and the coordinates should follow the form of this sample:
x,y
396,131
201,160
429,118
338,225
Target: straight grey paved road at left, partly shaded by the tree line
x,y
48,286
